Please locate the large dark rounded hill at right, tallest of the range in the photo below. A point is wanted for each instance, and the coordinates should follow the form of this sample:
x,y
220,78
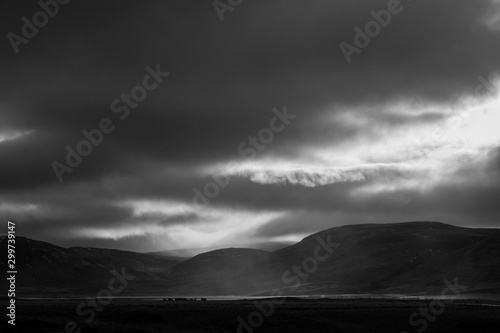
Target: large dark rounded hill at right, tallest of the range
x,y
407,258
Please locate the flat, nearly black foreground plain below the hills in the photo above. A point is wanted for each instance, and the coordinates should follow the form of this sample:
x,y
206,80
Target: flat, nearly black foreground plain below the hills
x,y
294,315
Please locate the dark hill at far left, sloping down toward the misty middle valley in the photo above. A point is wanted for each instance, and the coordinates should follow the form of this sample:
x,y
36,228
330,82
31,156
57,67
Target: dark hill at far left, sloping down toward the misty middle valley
x,y
46,268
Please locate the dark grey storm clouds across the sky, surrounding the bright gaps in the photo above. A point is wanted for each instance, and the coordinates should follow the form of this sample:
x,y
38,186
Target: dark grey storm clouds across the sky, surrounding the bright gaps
x,y
225,80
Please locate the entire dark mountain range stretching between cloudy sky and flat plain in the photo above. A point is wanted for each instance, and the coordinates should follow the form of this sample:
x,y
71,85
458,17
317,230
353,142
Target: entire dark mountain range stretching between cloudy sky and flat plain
x,y
412,258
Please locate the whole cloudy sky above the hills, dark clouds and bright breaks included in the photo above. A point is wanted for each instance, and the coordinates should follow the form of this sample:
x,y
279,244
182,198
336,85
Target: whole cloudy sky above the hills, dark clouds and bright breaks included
x,y
262,131
